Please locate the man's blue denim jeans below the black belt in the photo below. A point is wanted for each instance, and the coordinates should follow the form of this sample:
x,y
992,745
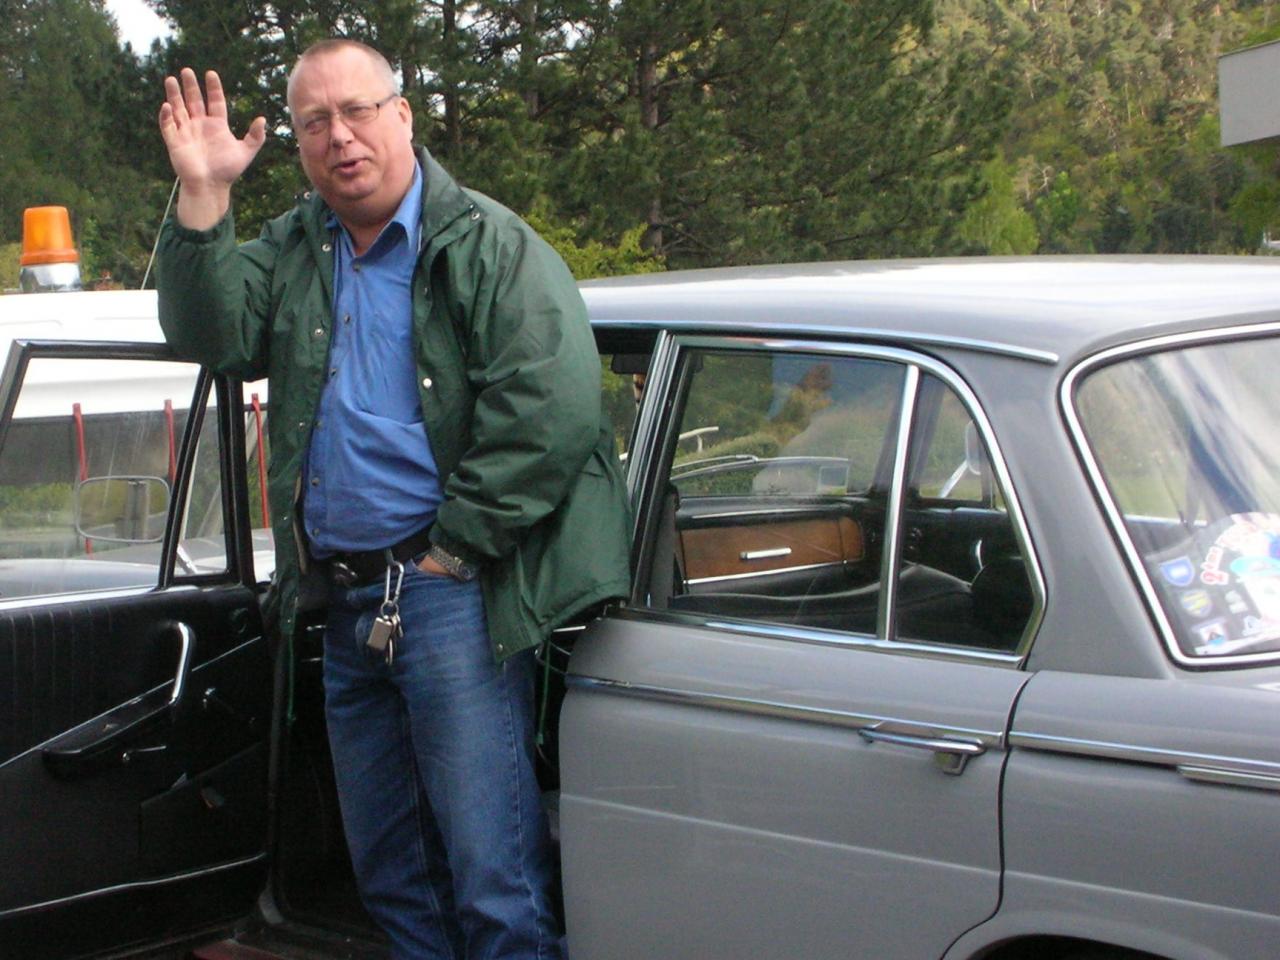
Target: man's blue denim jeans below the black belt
x,y
433,756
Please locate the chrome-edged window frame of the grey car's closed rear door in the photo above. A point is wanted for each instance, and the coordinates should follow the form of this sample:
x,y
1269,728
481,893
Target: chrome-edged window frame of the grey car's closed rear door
x,y
657,435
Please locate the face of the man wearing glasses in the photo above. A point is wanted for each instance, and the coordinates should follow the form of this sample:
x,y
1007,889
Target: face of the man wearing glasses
x,y
362,171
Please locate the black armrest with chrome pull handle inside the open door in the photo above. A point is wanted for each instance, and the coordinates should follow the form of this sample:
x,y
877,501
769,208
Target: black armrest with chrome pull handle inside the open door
x,y
111,744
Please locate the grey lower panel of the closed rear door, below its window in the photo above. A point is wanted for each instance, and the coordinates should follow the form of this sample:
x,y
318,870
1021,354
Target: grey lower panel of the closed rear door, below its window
x,y
723,783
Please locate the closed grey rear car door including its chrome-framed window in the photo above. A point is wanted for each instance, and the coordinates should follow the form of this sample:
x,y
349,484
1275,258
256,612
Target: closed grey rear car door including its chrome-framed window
x,y
792,742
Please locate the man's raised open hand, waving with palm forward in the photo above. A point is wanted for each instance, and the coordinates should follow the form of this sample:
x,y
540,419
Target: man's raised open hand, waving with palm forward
x,y
203,150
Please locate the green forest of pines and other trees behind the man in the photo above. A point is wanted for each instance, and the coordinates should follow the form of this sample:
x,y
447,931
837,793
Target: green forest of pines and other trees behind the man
x,y
643,135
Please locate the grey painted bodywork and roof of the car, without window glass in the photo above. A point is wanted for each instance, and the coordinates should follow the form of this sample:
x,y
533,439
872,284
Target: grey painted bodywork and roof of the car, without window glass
x,y
707,761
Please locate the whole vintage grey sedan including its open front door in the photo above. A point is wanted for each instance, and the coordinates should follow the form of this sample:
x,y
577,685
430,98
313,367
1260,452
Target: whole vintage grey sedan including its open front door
x,y
956,633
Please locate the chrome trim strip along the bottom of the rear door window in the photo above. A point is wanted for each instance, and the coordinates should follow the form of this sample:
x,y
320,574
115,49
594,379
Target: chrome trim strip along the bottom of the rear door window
x,y
821,638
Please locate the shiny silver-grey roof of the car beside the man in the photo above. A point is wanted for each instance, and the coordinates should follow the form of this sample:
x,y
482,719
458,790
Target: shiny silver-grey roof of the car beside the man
x,y
1044,308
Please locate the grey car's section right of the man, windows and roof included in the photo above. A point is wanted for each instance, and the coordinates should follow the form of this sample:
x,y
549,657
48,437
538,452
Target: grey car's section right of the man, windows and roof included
x,y
957,618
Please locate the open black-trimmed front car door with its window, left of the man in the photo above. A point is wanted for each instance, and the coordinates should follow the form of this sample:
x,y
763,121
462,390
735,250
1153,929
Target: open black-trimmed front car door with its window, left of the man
x,y
135,679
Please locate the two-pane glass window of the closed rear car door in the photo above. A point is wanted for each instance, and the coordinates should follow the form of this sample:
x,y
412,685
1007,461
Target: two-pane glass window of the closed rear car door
x,y
775,497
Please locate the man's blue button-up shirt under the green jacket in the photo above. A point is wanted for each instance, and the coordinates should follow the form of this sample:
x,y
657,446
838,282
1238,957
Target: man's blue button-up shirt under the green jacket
x,y
371,477
